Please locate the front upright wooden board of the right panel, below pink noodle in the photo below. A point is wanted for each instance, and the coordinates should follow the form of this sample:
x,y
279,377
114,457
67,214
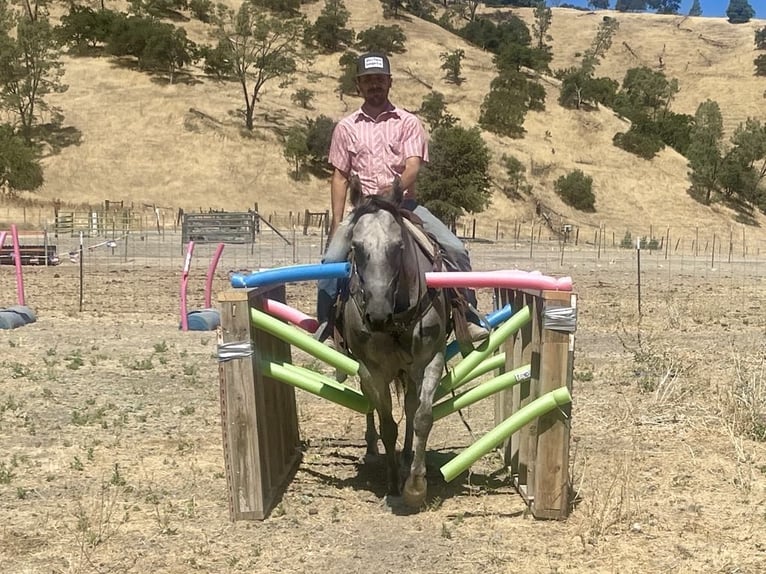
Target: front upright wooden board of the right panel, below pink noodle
x,y
551,480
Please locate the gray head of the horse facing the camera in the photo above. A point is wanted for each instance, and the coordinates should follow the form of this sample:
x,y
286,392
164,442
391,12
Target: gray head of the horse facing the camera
x,y
377,243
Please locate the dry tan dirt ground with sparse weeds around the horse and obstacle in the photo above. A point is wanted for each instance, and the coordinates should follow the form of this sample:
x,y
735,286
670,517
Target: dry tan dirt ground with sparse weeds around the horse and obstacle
x,y
111,449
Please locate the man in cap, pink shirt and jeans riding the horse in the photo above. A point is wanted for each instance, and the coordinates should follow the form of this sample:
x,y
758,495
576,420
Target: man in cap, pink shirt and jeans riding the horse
x,y
380,143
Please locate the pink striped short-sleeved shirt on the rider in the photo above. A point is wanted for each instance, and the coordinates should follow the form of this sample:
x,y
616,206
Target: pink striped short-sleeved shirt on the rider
x,y
375,149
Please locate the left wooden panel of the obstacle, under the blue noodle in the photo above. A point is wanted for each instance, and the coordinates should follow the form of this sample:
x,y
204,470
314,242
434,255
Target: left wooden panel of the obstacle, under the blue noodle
x,y
258,414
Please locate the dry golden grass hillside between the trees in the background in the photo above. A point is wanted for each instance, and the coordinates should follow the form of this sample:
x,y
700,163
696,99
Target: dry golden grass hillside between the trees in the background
x,y
183,145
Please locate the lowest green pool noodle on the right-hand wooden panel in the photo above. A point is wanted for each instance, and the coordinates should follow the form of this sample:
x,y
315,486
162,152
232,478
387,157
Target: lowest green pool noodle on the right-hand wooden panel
x,y
513,423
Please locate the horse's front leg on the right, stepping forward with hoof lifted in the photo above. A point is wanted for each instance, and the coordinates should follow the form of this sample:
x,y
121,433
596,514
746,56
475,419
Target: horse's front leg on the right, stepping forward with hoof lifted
x,y
415,487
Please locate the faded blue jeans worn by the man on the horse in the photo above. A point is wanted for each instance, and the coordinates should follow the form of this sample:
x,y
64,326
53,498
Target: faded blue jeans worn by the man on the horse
x,y
452,248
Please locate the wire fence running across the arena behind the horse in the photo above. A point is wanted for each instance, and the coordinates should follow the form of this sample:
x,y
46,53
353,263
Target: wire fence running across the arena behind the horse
x,y
141,272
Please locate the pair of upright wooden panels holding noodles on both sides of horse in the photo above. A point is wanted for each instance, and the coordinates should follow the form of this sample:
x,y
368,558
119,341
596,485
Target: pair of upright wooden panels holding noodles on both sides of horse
x,y
259,414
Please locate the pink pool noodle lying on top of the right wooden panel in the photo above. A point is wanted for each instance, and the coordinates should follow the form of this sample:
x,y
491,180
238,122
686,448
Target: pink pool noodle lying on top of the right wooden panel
x,y
499,279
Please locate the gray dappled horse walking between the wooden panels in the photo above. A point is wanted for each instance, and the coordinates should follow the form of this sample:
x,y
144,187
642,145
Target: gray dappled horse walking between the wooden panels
x,y
395,327
